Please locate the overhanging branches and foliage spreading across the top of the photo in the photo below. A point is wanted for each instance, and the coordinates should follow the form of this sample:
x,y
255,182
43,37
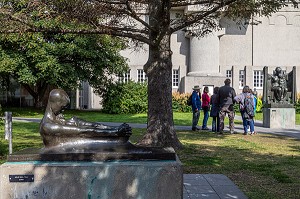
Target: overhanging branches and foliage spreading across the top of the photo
x,y
127,18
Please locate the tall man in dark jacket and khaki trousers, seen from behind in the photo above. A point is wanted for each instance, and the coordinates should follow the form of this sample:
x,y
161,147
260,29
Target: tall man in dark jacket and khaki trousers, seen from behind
x,y
226,96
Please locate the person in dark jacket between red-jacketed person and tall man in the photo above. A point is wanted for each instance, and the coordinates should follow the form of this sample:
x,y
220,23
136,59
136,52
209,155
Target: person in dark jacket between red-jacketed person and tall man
x,y
214,112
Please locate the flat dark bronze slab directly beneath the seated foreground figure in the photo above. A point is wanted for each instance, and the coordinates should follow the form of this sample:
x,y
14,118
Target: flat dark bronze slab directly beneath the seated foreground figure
x,y
93,152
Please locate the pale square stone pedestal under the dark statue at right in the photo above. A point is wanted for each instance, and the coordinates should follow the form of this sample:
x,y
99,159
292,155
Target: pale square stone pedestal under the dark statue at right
x,y
279,118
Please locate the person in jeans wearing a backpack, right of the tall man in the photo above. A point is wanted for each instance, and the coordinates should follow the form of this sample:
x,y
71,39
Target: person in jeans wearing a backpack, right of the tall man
x,y
246,101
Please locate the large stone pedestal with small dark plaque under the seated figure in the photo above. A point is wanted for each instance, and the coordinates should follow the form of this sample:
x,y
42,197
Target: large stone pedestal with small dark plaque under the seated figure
x,y
119,179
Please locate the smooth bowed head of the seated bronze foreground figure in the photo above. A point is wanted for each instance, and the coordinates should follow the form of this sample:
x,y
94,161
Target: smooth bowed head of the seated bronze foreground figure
x,y
58,100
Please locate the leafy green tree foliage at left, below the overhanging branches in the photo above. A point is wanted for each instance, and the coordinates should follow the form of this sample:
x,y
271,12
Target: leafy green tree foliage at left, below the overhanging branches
x,y
63,60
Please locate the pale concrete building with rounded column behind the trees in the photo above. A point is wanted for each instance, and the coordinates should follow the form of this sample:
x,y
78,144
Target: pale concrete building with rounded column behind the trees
x,y
236,51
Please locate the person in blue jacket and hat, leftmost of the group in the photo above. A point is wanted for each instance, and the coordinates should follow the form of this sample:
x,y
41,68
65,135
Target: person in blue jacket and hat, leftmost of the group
x,y
196,106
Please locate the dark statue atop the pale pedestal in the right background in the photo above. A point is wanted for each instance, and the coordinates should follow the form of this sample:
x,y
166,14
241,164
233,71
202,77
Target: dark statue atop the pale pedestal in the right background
x,y
279,88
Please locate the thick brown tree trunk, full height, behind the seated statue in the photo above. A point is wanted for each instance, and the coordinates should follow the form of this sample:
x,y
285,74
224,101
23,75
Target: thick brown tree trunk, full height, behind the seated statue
x,y
160,130
